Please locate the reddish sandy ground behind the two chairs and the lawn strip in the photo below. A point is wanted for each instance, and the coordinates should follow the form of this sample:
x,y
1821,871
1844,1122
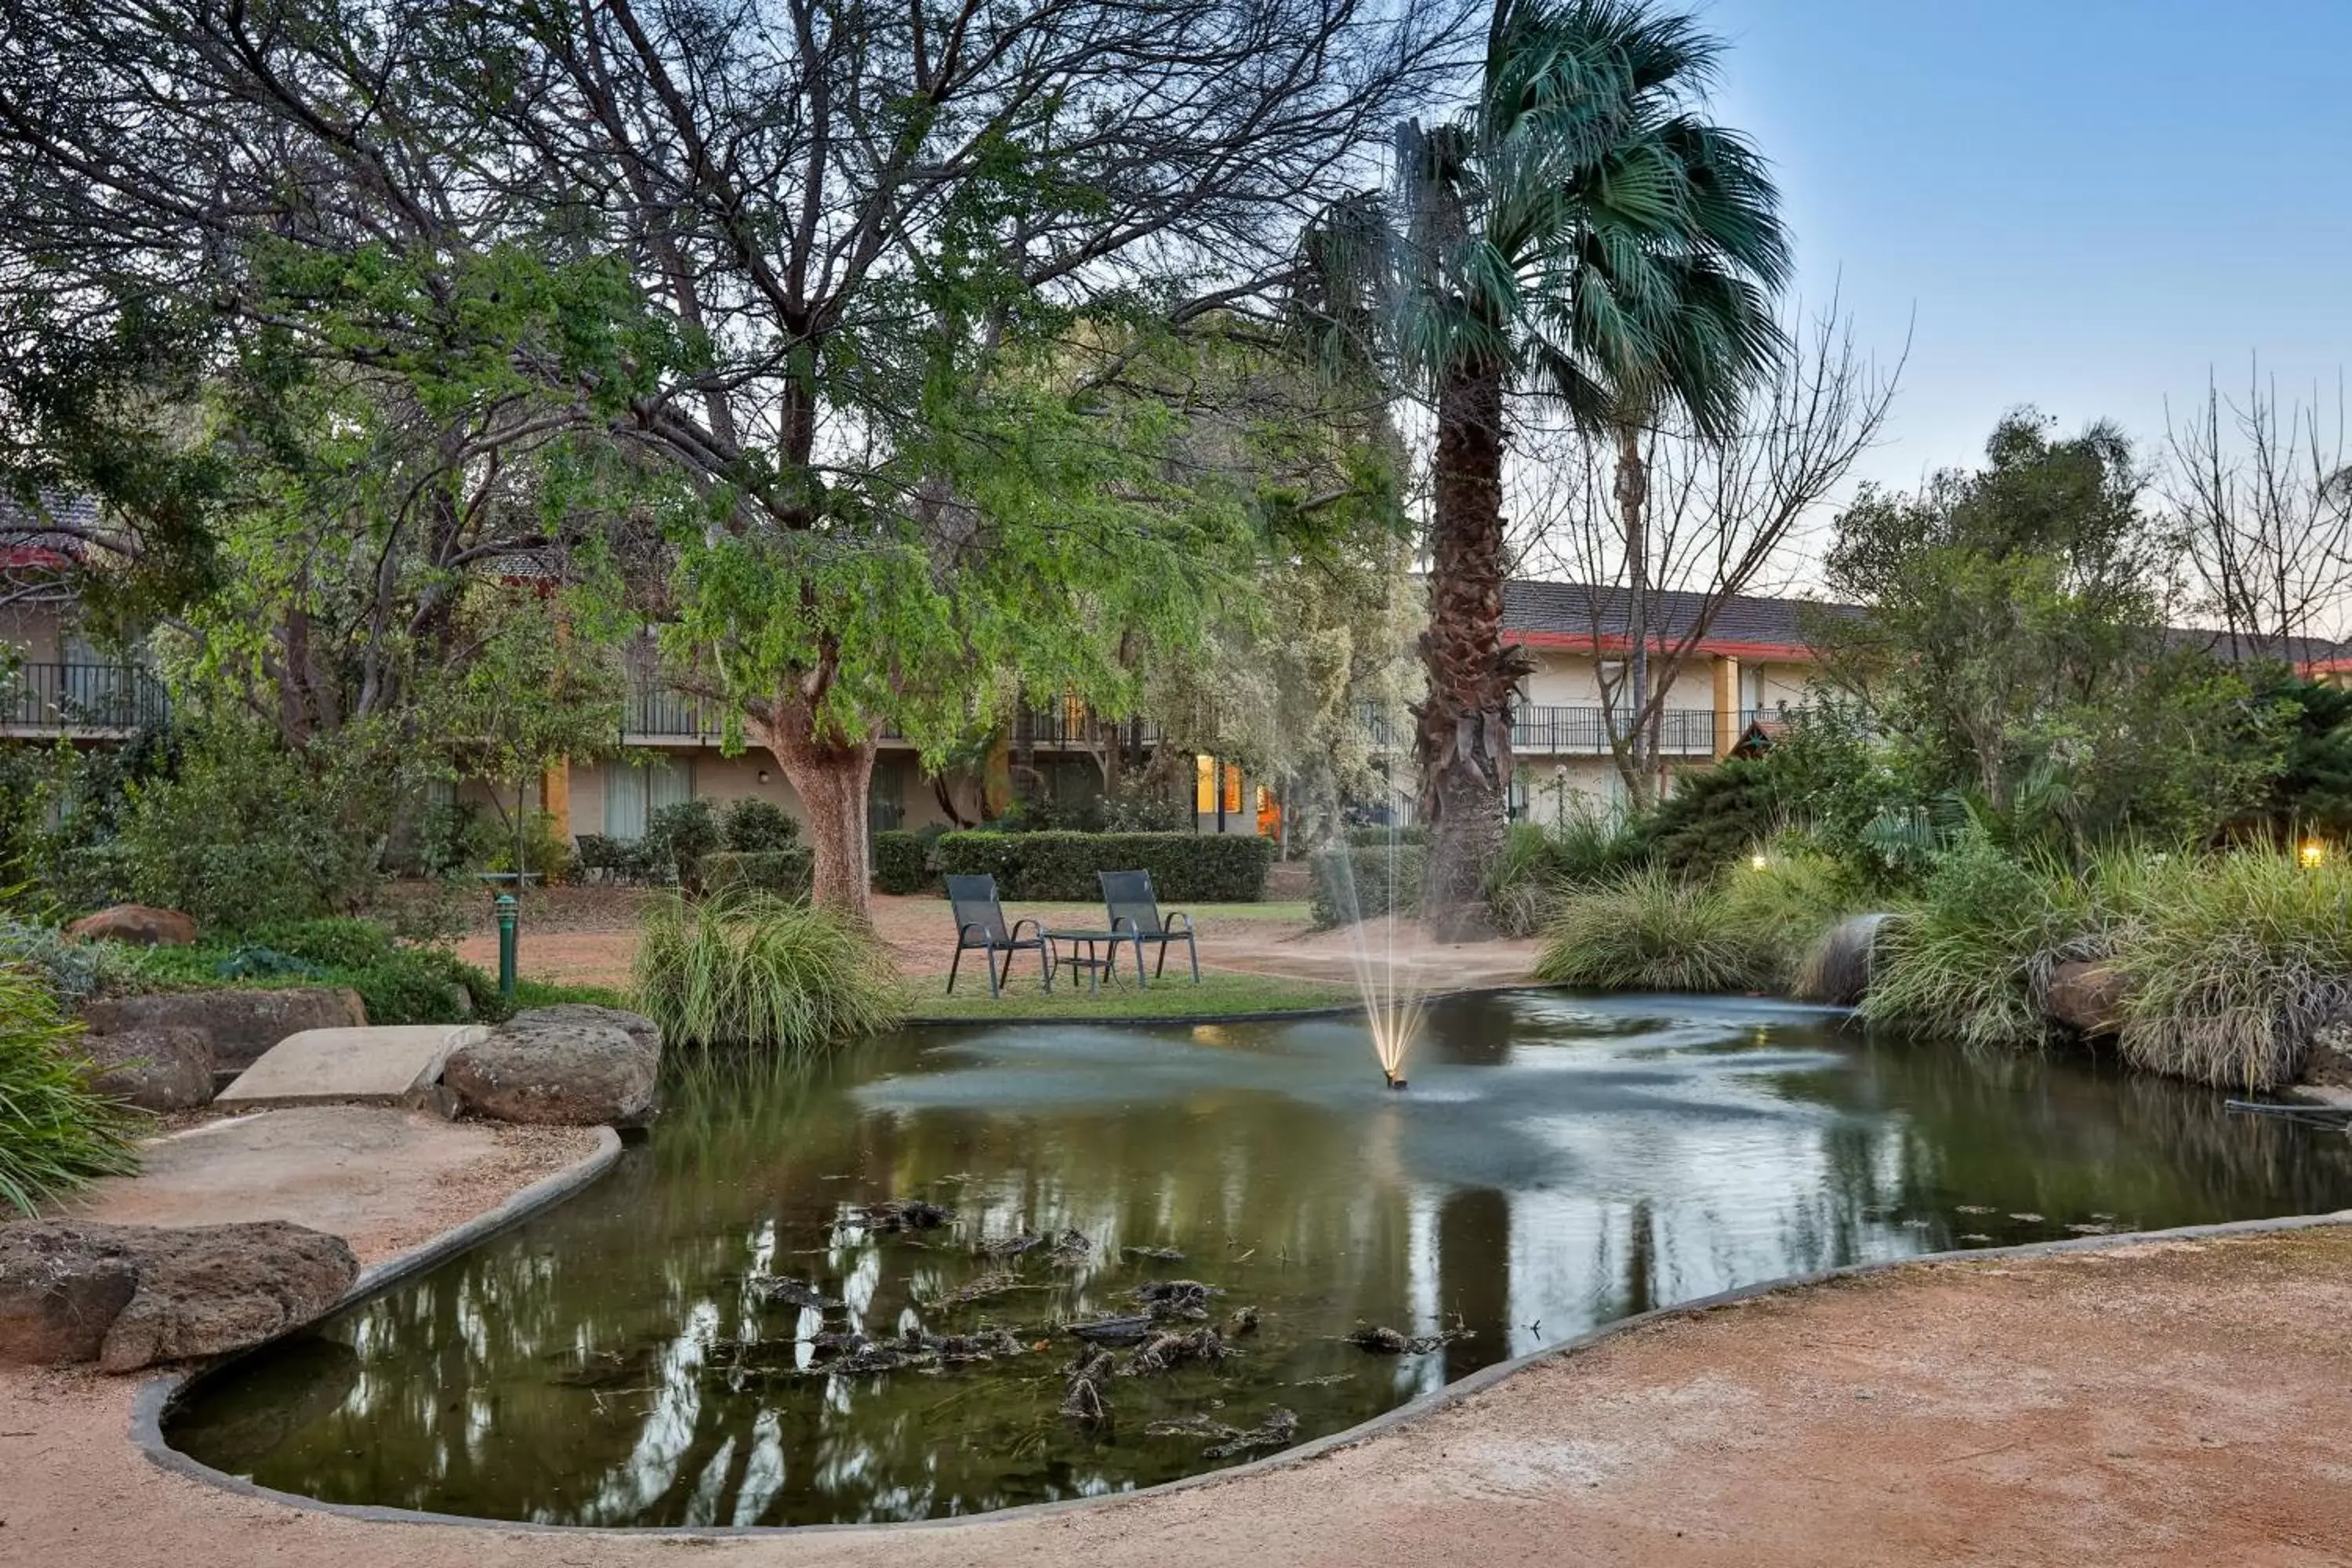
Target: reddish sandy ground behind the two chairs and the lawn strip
x,y
592,942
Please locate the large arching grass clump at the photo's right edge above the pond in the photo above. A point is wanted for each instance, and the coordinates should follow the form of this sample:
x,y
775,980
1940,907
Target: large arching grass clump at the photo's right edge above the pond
x,y
2231,963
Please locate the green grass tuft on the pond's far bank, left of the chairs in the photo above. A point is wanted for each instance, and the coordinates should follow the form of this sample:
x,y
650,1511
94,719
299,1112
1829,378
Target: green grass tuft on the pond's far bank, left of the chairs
x,y
763,972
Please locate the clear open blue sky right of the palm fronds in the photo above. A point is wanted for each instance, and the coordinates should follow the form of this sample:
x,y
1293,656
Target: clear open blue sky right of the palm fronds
x,y
2087,206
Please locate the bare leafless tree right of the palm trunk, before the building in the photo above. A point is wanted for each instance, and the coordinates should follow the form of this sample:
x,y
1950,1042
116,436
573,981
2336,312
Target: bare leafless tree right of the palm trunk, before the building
x,y
1723,518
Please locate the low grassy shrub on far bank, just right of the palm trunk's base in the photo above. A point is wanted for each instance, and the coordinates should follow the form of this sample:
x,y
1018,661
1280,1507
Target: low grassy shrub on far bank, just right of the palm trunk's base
x,y
1650,932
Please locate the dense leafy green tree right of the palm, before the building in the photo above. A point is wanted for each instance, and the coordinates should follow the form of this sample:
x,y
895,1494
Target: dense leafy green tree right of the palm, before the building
x,y
2014,650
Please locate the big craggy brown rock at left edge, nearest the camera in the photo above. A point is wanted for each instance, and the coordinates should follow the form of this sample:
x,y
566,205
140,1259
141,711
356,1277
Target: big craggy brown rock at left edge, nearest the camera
x,y
128,1296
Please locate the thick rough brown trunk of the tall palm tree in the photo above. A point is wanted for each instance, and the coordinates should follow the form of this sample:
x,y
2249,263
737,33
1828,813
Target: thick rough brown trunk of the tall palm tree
x,y
1464,725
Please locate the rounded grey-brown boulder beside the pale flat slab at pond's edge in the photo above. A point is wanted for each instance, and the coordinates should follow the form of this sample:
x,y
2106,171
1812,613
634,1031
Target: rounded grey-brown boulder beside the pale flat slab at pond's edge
x,y
573,1066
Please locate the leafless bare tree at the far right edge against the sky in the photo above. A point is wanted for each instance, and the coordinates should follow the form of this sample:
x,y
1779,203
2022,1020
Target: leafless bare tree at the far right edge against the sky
x,y
2261,495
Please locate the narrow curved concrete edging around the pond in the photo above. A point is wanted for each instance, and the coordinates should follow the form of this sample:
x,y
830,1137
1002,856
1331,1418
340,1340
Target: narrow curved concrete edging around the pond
x,y
159,1395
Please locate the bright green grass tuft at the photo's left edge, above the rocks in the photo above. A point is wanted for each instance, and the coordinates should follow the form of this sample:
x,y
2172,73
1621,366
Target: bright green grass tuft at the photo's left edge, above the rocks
x,y
55,1132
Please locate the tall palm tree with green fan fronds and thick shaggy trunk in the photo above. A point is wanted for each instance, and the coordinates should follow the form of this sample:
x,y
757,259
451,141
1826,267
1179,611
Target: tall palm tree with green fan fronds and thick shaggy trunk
x,y
1579,234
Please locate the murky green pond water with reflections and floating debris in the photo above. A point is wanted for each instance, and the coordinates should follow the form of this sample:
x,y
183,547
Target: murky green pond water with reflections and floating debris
x,y
1556,1165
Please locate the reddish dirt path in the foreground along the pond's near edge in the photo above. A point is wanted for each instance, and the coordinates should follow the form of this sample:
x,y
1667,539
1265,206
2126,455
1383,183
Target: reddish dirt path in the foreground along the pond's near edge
x,y
2153,1405
